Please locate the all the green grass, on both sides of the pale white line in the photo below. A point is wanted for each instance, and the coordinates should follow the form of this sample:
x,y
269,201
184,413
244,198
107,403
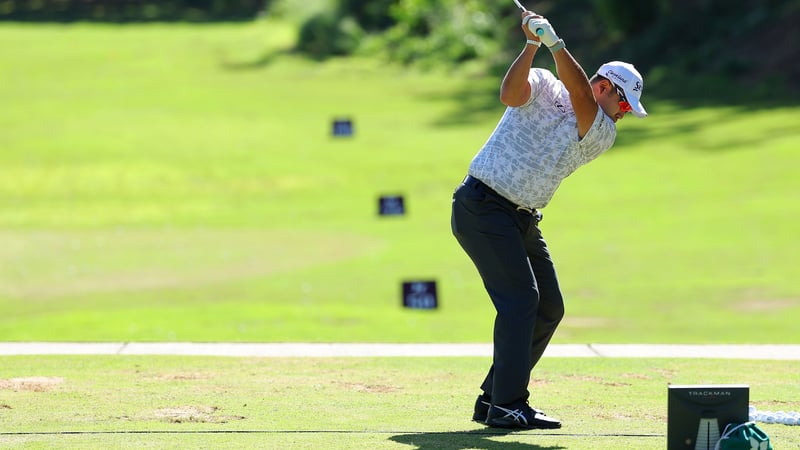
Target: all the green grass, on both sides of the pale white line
x,y
178,183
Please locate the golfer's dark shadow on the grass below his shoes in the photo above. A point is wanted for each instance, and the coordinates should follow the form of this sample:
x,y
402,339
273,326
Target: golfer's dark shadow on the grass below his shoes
x,y
457,440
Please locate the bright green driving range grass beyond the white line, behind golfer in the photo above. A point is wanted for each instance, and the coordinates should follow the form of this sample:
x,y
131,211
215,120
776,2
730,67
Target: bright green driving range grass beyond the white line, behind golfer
x,y
175,182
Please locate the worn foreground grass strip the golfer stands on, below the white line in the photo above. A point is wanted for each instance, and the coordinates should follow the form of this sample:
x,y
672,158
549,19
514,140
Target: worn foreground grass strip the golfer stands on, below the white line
x,y
377,403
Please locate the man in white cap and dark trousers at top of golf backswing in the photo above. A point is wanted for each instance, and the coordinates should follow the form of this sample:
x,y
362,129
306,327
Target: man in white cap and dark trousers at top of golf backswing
x,y
551,126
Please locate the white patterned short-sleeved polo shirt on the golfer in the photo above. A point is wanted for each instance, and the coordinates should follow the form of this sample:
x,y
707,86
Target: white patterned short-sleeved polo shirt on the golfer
x,y
536,145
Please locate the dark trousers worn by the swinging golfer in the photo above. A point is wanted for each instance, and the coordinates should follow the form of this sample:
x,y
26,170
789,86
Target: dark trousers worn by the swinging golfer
x,y
512,258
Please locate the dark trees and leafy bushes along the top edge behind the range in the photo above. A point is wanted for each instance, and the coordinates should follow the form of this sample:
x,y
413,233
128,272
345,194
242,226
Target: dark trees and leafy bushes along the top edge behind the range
x,y
750,40
